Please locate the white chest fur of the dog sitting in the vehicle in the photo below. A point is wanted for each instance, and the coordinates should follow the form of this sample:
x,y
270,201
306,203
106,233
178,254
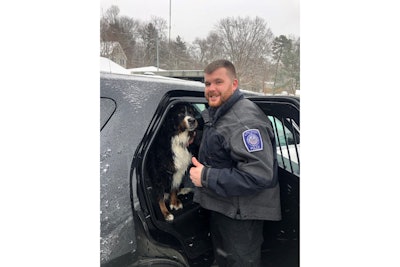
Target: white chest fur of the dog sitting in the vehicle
x,y
182,157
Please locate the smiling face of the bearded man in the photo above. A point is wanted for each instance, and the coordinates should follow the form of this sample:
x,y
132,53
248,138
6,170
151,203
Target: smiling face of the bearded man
x,y
219,87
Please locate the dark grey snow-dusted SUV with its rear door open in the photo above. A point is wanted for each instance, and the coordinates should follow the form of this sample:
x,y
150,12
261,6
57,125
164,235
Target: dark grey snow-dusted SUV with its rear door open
x,y
133,233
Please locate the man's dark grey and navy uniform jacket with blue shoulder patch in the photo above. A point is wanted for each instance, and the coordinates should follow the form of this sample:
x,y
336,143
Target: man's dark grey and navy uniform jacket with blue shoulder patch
x,y
238,151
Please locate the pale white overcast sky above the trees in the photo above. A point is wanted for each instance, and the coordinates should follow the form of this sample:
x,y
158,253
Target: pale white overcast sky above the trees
x,y
195,18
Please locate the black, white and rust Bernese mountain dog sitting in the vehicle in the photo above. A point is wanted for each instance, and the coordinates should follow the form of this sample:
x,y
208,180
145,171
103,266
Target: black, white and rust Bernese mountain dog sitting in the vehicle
x,y
170,156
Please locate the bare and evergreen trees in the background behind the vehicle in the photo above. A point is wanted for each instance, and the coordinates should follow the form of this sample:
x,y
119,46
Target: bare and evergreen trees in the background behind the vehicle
x,y
263,61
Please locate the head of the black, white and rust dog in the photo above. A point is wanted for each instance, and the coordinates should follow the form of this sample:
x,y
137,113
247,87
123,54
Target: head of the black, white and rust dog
x,y
183,118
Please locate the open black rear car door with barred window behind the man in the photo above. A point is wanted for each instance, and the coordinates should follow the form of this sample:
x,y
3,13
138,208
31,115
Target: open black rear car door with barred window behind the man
x,y
281,239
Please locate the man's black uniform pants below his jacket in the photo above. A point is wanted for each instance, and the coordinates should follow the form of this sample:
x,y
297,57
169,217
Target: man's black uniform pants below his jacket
x,y
237,243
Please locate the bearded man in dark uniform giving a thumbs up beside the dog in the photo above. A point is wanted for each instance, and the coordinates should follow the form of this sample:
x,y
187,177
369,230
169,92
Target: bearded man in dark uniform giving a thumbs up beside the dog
x,y
236,171
